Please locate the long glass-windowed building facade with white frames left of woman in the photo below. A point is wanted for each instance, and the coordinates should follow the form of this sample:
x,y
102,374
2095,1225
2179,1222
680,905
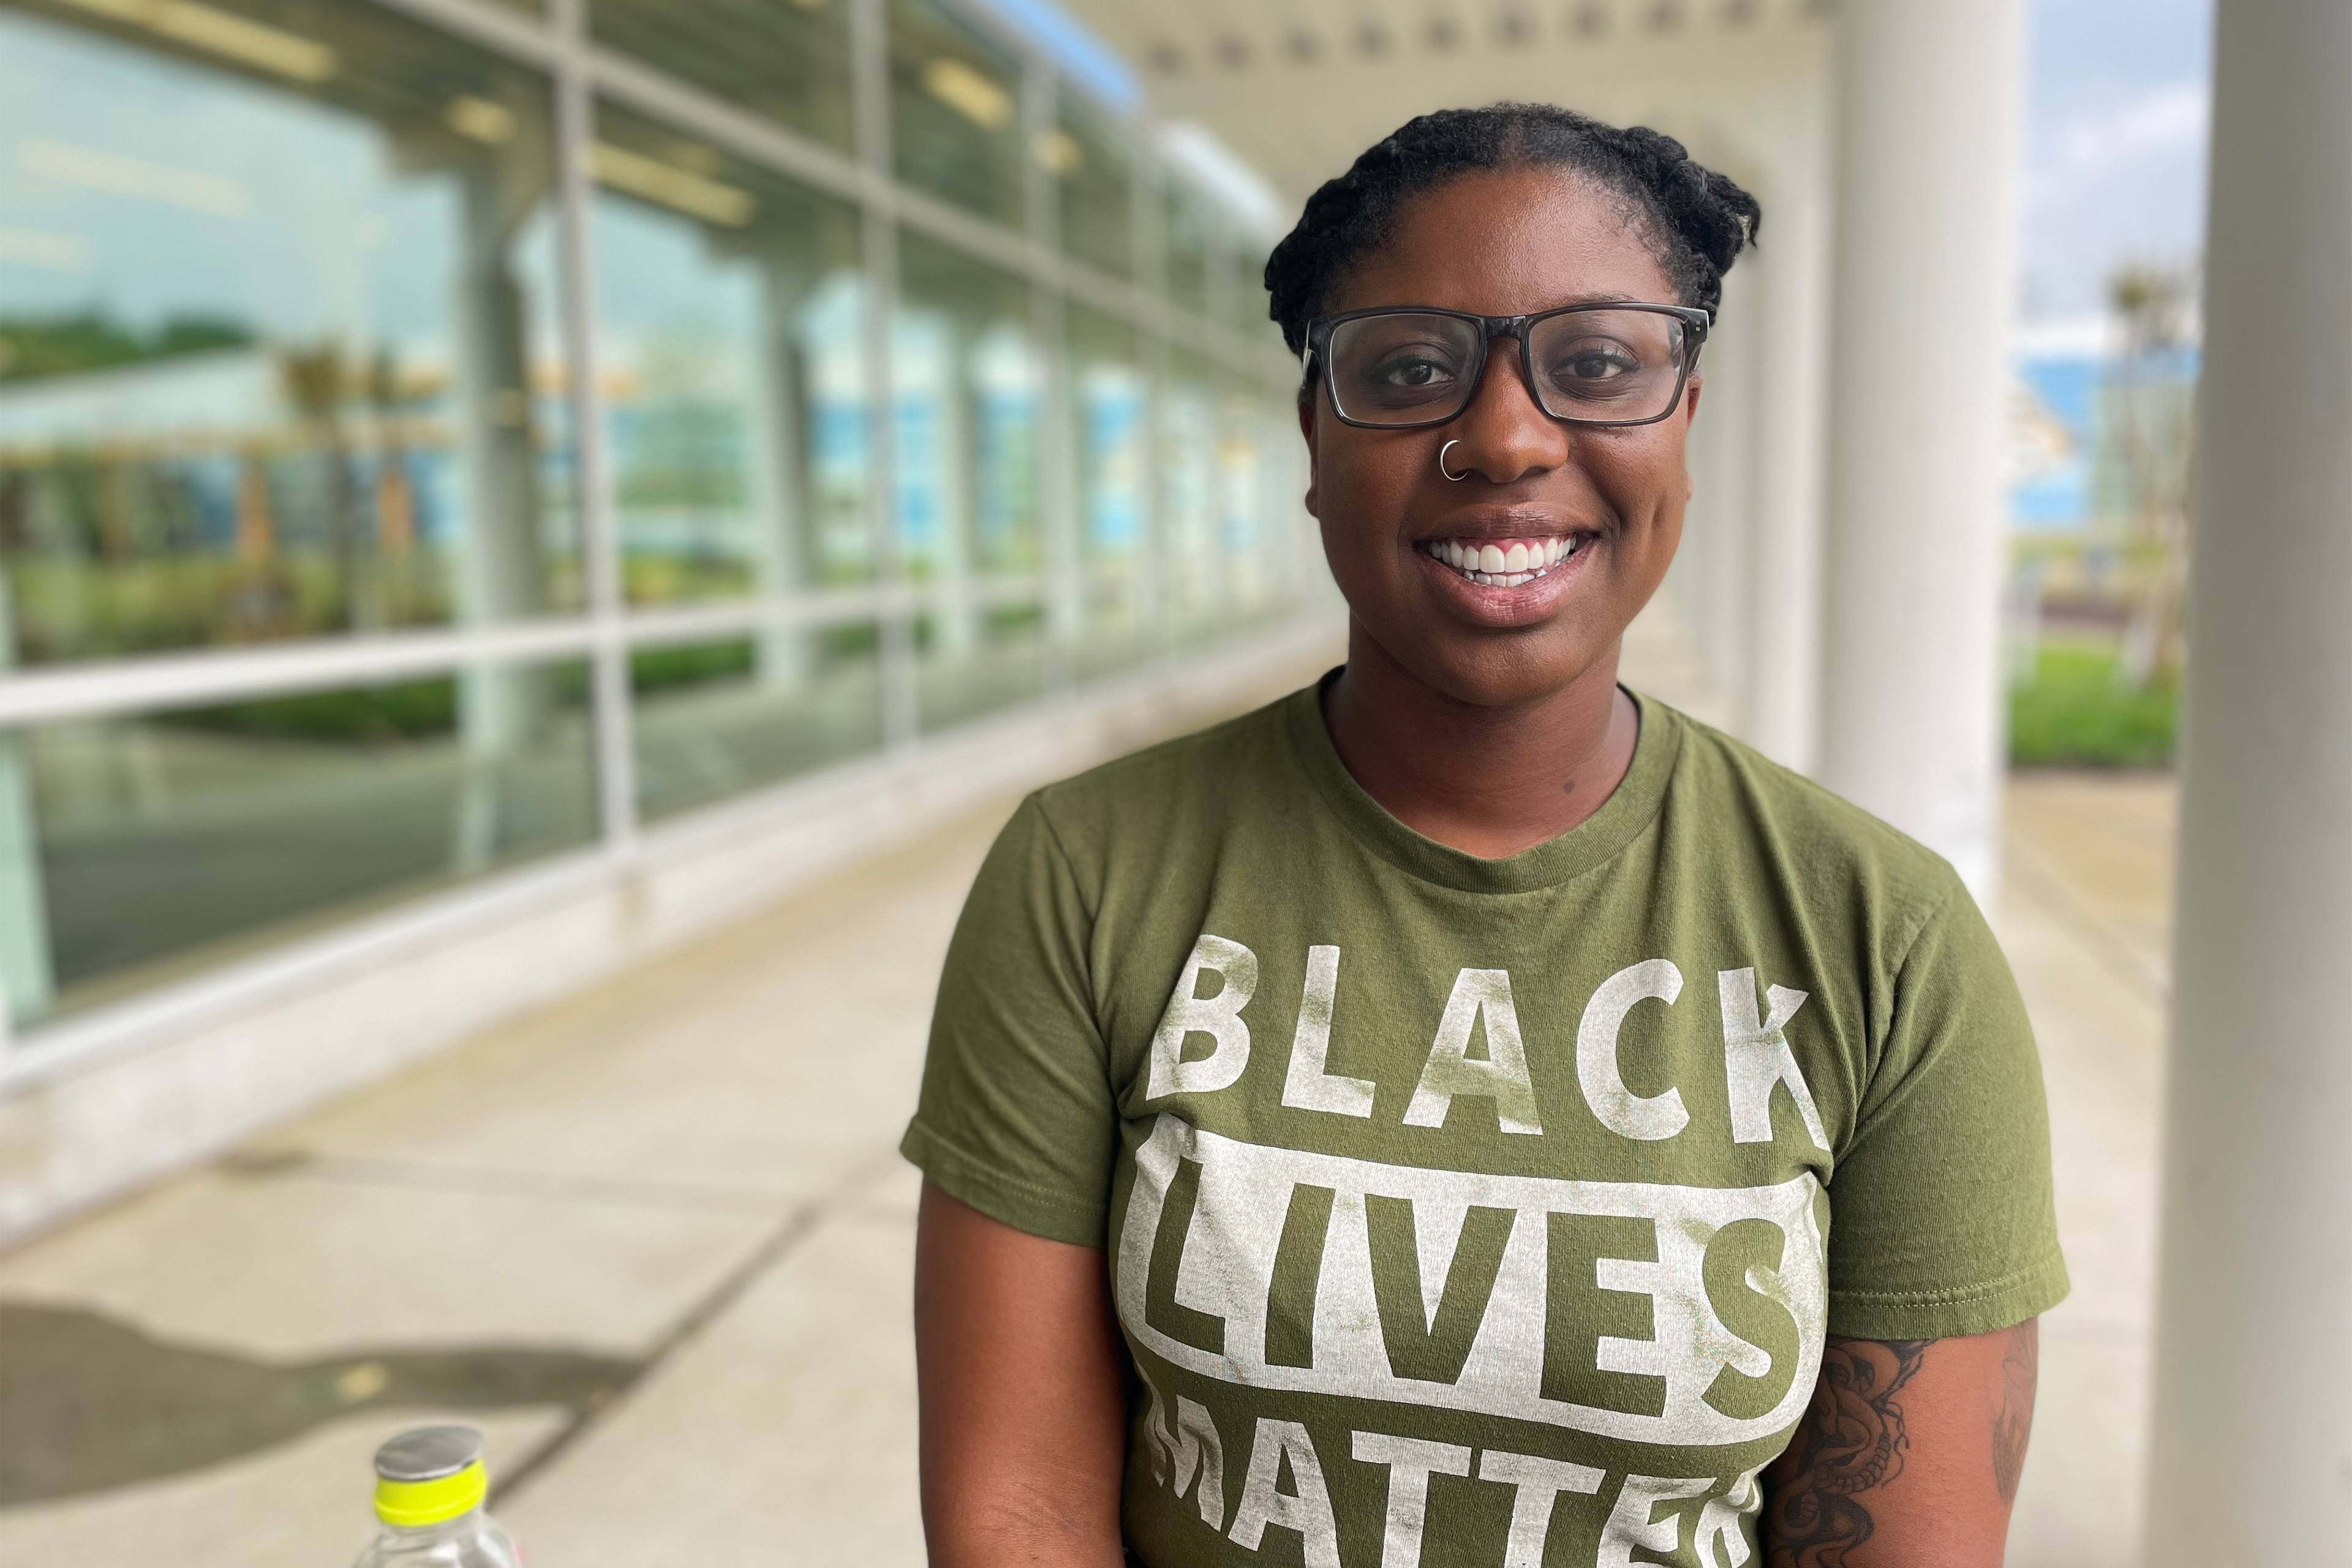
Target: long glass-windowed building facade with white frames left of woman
x,y
455,438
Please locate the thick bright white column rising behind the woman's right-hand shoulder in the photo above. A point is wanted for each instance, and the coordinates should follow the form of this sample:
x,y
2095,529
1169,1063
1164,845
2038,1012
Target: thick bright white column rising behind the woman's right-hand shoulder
x,y
1930,98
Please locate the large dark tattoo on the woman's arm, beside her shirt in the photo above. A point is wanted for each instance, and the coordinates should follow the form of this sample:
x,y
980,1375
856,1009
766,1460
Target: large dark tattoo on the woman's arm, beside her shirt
x,y
1850,1442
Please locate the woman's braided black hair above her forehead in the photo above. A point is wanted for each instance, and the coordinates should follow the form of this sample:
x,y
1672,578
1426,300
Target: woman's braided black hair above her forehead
x,y
1695,220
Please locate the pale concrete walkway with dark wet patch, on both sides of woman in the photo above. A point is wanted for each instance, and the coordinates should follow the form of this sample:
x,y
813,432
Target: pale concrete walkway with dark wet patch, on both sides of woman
x,y
657,1245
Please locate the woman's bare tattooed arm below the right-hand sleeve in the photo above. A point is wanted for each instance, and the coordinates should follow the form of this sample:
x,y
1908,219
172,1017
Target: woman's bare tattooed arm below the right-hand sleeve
x,y
1909,1454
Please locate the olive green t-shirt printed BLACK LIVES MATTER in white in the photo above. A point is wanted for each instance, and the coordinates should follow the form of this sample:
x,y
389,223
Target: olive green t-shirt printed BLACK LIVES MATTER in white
x,y
1485,1212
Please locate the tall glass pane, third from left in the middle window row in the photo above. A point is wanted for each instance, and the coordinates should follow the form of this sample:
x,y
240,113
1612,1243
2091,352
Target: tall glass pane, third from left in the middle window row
x,y
968,387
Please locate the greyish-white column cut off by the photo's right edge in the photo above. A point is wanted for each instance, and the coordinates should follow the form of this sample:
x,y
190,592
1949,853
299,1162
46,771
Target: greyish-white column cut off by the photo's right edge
x,y
2252,1459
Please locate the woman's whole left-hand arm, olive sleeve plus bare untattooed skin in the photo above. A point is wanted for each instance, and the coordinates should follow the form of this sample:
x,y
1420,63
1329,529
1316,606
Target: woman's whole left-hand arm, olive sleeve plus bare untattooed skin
x,y
1017,1130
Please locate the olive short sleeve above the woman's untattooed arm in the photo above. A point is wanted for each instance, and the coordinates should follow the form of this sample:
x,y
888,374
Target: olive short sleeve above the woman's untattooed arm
x,y
1017,1113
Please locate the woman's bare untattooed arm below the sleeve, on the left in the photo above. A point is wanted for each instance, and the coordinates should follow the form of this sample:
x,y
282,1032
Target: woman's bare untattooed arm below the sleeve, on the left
x,y
1024,1414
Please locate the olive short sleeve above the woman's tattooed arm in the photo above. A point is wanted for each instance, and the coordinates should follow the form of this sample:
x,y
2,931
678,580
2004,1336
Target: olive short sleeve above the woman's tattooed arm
x,y
1942,1217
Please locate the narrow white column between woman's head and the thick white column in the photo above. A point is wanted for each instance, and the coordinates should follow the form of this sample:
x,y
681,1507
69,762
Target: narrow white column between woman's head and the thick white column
x,y
1793,403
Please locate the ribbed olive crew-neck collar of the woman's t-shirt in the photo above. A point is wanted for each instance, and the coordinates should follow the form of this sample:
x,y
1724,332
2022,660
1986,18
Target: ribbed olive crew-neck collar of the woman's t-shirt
x,y
1572,855
